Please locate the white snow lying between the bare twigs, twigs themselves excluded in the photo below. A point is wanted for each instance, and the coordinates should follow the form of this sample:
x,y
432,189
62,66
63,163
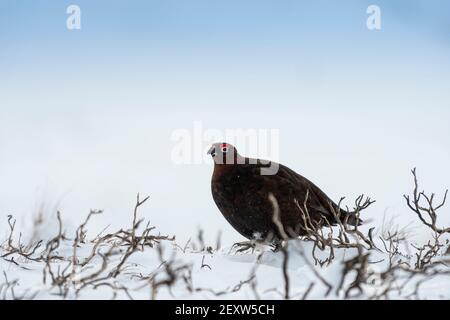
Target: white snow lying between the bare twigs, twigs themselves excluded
x,y
214,274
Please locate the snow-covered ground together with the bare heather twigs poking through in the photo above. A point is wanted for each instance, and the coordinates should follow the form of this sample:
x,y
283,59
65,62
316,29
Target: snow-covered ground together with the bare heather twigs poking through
x,y
106,266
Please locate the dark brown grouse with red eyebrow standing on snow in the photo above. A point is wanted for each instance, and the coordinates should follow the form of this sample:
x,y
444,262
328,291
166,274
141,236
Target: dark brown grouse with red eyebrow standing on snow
x,y
271,207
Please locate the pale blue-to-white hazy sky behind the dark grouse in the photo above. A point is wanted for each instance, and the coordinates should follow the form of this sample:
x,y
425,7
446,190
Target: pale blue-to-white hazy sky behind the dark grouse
x,y
86,115
